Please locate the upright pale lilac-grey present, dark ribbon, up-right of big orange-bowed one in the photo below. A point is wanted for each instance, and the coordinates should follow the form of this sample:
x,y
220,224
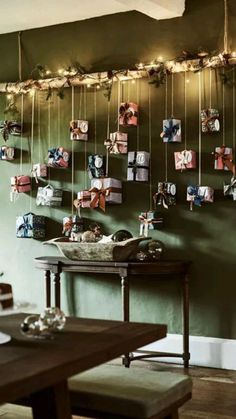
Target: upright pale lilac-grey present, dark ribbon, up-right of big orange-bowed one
x,y
138,166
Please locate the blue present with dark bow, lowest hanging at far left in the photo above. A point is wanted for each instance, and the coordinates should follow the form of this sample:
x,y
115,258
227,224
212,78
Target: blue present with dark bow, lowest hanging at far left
x,y
30,226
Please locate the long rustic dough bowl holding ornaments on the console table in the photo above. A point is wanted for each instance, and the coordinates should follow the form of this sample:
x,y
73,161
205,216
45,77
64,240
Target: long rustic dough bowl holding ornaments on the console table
x,y
112,251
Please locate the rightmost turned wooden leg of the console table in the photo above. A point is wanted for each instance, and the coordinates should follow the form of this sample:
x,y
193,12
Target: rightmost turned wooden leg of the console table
x,y
186,354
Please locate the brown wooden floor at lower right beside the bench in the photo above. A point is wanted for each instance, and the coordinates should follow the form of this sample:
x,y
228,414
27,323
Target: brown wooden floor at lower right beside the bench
x,y
214,390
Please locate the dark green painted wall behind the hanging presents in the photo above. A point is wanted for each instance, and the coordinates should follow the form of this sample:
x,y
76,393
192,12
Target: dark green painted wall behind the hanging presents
x,y
205,235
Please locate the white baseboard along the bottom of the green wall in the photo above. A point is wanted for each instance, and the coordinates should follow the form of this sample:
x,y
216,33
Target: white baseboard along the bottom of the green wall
x,y
204,351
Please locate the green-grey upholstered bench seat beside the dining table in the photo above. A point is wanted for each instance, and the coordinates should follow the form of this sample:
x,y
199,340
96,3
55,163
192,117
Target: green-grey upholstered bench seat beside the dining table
x,y
110,391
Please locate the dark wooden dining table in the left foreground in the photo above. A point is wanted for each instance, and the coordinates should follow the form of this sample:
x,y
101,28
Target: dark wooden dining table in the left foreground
x,y
40,368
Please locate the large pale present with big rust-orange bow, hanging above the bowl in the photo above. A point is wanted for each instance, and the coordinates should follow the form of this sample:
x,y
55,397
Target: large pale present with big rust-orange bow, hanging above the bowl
x,y
106,190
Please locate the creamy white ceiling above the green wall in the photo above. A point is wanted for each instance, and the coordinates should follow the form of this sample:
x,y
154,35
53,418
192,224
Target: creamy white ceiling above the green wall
x,y
19,15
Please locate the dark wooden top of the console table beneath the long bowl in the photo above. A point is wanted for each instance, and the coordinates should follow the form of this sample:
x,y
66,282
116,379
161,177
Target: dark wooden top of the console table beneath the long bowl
x,y
158,267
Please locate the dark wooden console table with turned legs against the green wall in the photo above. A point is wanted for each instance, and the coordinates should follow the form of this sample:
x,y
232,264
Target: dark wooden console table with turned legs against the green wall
x,y
167,269
